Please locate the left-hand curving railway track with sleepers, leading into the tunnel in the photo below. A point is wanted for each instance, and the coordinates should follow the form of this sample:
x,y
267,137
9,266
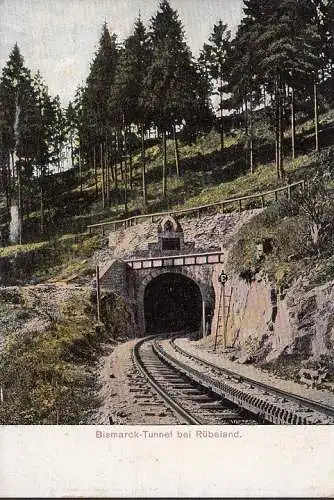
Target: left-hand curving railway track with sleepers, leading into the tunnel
x,y
188,400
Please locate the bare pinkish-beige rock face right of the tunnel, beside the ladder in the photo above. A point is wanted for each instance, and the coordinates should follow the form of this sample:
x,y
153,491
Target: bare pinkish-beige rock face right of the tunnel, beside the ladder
x,y
267,328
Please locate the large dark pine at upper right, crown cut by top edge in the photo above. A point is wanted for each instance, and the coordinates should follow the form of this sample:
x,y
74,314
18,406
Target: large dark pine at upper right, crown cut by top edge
x,y
284,44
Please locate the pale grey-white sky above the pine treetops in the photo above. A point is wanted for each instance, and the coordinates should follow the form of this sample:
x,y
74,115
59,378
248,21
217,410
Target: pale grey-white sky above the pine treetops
x,y
60,37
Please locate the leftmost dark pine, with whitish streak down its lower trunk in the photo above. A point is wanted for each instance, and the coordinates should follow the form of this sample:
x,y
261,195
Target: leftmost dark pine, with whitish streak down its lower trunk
x,y
31,136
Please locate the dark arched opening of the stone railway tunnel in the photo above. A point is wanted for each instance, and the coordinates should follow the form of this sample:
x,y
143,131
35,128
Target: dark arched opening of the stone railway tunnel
x,y
172,302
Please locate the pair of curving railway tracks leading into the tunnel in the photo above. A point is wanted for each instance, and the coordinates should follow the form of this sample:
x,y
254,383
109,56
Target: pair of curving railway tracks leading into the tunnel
x,y
196,391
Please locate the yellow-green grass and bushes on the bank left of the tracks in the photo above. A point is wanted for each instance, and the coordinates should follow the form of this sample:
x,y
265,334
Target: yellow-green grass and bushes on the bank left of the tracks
x,y
48,378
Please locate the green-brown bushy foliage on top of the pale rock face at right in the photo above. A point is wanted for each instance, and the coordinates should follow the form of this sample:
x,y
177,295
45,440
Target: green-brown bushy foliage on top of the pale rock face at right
x,y
289,226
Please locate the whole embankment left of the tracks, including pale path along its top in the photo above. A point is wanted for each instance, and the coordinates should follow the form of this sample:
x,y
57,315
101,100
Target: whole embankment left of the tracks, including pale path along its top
x,y
50,346
